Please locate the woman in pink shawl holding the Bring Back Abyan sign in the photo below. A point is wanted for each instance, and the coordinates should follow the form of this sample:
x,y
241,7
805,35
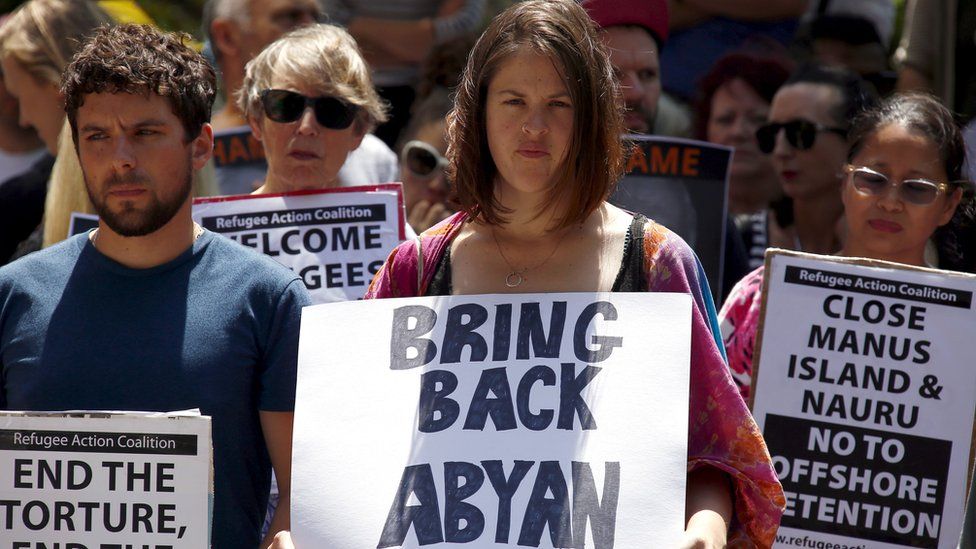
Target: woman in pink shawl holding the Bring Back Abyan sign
x,y
534,150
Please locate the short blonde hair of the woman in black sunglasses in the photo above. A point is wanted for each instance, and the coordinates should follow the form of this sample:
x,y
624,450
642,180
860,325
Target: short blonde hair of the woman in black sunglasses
x,y
327,59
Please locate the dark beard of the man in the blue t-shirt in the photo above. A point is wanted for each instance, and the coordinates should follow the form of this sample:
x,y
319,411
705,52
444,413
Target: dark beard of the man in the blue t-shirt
x,y
132,222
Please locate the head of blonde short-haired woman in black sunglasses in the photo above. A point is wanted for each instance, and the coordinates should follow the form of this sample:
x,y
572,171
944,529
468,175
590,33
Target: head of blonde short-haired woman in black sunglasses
x,y
309,99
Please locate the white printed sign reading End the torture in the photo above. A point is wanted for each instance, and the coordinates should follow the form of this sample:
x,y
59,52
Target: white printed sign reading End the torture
x,y
104,480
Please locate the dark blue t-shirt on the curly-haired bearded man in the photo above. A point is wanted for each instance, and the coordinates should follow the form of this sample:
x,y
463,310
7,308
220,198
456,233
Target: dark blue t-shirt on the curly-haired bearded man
x,y
216,329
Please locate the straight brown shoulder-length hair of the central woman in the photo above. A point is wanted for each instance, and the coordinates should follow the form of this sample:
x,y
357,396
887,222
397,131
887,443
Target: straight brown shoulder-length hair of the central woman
x,y
562,31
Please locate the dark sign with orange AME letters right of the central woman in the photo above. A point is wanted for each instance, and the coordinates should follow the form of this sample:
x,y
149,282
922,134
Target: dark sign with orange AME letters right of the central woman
x,y
683,185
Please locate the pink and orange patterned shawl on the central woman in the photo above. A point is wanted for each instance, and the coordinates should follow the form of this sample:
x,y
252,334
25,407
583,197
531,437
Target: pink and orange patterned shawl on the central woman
x,y
722,433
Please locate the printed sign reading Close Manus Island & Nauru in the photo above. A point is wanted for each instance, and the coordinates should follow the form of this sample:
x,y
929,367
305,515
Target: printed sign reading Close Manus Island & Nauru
x,y
864,390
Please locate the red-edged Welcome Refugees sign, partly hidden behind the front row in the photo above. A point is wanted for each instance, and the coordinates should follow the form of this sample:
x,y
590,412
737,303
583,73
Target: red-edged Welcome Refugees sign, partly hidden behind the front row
x,y
334,239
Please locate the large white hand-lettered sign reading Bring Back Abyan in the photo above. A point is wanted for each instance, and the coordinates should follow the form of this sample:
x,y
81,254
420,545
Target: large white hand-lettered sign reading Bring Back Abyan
x,y
531,420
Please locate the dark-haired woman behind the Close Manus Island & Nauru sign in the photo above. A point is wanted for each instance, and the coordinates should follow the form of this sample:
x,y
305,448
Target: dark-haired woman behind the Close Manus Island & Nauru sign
x,y
900,191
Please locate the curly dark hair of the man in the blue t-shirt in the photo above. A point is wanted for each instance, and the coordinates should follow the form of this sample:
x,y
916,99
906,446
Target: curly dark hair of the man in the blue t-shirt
x,y
140,59
